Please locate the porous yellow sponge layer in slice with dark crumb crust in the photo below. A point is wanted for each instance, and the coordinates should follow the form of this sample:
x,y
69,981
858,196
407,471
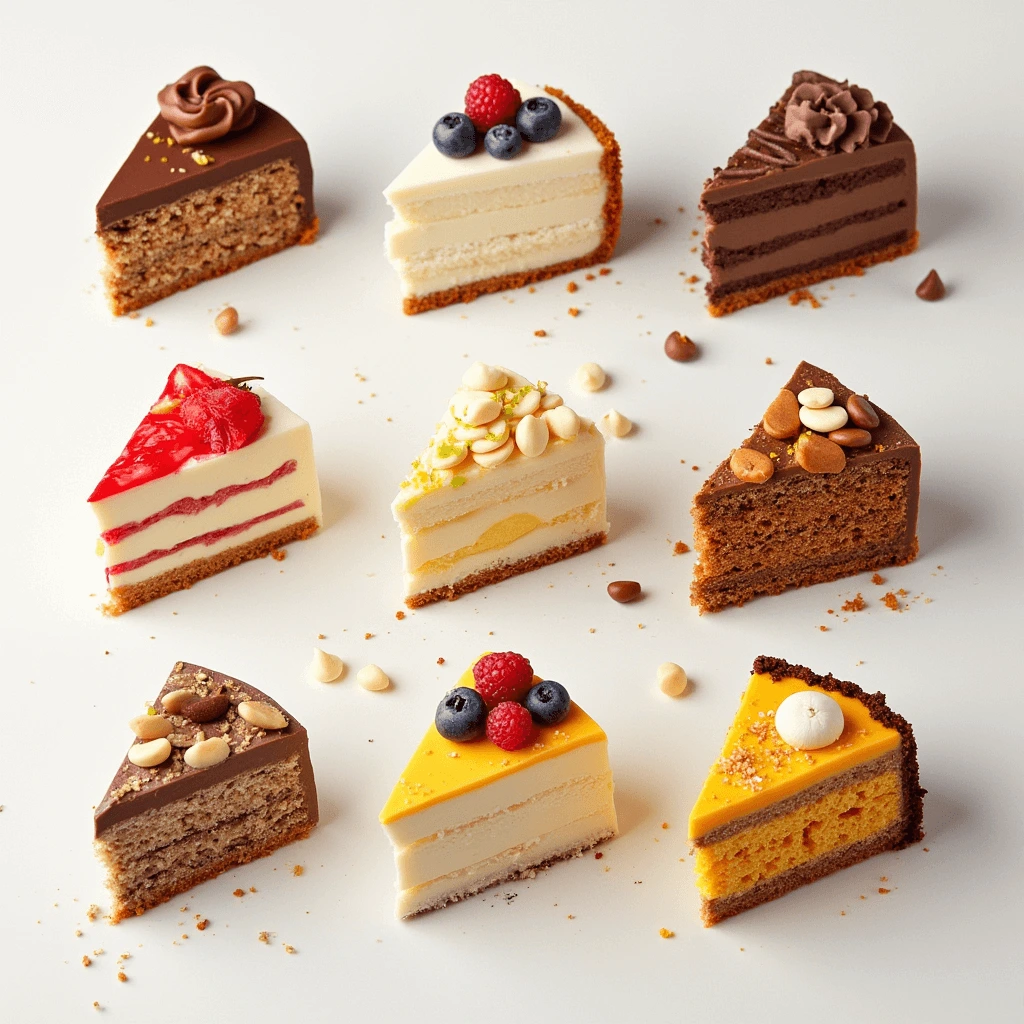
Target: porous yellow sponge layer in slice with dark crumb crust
x,y
835,821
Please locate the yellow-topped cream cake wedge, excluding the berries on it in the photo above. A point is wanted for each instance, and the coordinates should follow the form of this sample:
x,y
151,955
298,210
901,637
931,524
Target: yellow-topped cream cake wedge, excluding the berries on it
x,y
467,816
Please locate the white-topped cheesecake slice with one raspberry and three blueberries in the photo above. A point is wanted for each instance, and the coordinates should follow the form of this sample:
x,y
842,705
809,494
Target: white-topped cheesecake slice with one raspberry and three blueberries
x,y
467,223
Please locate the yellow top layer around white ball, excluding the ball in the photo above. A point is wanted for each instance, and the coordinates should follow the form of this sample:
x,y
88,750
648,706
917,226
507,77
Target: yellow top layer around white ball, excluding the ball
x,y
758,769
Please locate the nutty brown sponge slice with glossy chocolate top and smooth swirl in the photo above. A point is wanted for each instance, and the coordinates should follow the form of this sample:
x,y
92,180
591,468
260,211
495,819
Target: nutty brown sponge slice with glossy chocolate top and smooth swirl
x,y
218,182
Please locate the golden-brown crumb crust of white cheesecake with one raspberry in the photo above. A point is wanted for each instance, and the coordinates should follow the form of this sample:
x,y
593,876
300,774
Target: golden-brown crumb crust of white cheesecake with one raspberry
x,y
612,169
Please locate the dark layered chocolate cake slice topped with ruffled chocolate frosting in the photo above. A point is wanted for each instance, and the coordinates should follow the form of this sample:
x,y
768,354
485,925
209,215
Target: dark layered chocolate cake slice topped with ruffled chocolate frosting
x,y
826,186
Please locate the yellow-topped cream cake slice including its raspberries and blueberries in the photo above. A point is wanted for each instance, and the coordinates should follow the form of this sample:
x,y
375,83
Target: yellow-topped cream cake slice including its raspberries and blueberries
x,y
495,795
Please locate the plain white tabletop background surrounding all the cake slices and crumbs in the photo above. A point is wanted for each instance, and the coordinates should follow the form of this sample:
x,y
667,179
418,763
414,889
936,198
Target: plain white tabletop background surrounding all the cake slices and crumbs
x,y
680,84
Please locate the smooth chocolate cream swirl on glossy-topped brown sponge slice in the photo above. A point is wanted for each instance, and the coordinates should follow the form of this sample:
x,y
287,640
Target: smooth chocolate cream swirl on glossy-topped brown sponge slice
x,y
201,107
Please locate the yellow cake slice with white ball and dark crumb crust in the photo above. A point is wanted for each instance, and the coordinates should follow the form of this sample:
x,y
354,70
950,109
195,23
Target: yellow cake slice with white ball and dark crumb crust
x,y
816,776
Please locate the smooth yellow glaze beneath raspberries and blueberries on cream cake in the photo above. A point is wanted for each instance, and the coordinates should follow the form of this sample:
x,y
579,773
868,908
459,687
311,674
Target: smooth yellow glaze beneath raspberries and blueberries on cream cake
x,y
442,770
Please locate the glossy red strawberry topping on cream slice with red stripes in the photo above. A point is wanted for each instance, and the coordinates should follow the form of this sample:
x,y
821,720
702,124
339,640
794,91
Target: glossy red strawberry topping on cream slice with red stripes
x,y
197,415
